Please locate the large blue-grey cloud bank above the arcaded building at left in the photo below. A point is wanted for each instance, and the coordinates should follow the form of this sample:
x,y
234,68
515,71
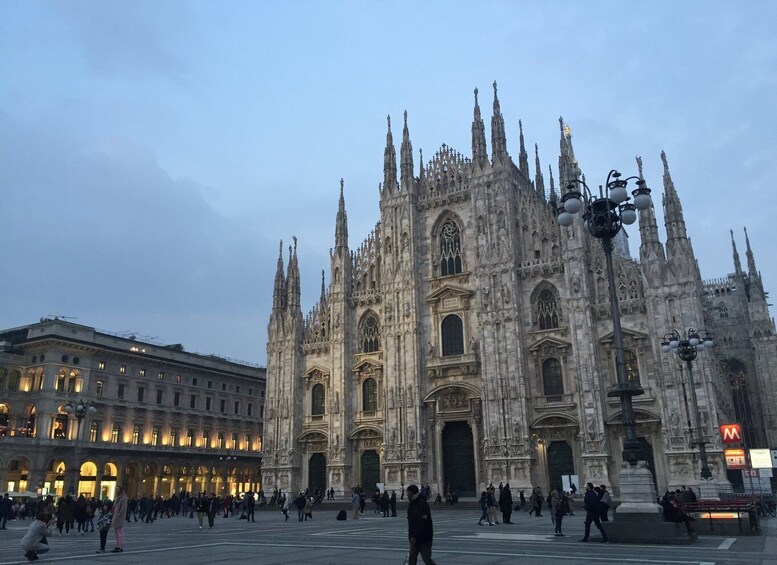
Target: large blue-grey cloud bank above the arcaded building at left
x,y
102,233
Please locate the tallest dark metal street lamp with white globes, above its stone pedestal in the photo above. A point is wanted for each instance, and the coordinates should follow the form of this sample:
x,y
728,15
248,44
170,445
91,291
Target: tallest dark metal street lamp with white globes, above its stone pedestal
x,y
603,216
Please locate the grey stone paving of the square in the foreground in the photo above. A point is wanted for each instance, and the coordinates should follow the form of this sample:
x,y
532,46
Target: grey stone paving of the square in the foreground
x,y
374,540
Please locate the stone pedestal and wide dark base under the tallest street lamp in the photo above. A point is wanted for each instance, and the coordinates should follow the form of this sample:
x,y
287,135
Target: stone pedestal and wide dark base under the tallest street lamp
x,y
638,518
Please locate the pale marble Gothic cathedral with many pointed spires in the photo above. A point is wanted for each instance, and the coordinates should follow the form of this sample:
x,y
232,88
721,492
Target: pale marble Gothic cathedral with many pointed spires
x,y
468,339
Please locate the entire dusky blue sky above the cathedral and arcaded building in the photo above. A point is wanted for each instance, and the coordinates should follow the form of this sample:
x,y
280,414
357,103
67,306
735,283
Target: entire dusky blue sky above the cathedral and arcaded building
x,y
153,154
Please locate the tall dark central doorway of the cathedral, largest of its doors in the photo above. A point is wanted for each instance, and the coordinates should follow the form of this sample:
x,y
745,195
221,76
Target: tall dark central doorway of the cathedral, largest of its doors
x,y
458,458
